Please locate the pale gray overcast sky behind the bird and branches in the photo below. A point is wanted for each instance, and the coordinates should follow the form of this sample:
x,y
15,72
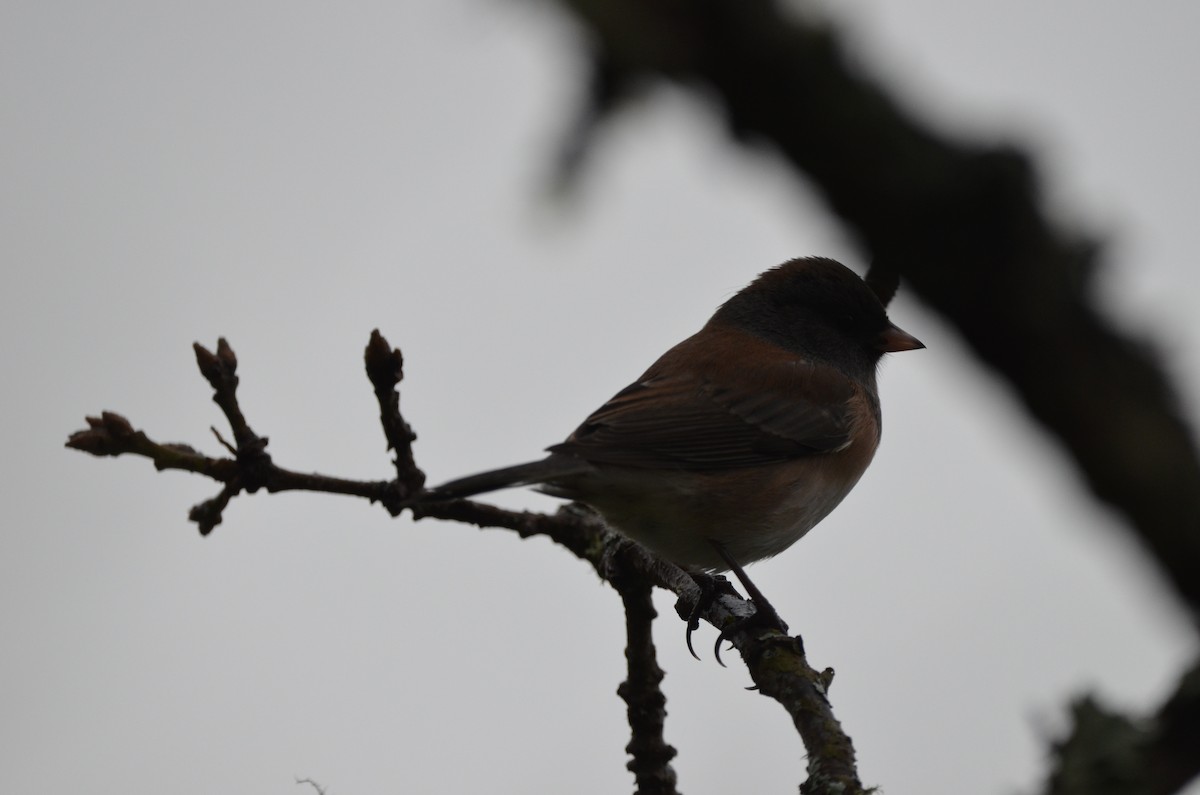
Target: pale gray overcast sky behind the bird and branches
x,y
292,176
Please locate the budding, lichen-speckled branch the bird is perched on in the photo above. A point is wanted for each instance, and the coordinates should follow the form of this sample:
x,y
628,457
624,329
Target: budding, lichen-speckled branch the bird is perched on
x,y
776,662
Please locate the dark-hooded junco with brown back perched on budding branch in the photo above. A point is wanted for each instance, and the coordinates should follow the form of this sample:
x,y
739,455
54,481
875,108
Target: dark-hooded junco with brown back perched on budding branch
x,y
742,438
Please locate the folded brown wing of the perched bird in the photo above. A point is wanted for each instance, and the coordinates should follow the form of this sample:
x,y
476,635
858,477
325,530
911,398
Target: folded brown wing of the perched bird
x,y
727,415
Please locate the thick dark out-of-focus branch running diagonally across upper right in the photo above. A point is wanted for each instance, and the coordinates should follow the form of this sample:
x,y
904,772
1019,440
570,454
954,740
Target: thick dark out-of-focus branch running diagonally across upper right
x,y
963,222
